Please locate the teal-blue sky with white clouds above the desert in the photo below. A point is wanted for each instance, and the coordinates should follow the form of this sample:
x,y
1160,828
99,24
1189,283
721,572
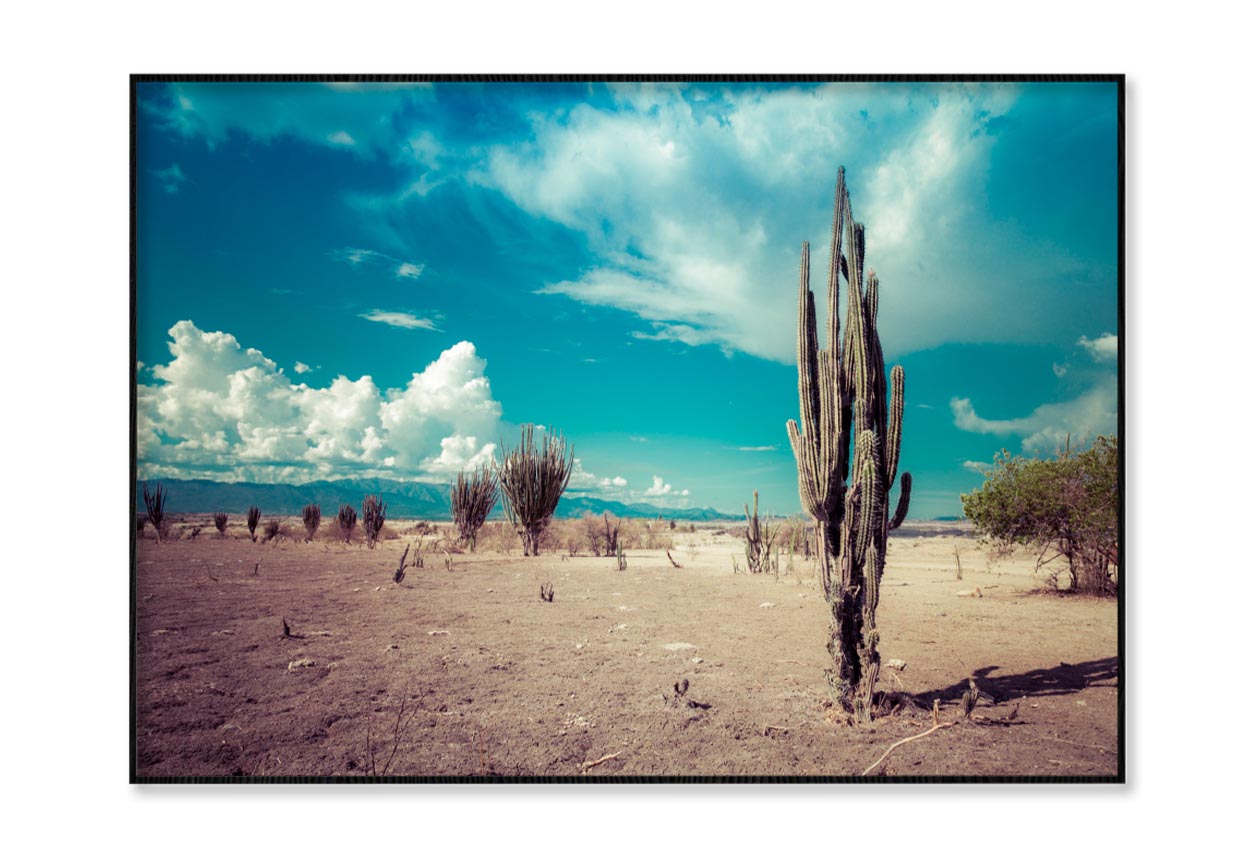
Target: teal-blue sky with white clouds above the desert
x,y
387,280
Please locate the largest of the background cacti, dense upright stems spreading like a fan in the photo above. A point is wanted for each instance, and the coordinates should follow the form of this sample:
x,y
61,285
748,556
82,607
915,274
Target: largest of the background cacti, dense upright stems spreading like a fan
x,y
532,482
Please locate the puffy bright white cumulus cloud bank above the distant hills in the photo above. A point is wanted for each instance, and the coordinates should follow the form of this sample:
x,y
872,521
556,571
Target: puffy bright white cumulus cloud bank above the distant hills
x,y
222,411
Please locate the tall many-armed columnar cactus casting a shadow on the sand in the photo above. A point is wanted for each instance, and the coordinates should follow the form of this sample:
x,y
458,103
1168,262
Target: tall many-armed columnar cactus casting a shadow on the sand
x,y
848,449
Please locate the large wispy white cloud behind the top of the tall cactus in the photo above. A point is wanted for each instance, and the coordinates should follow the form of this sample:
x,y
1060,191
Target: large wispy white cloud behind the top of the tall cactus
x,y
695,202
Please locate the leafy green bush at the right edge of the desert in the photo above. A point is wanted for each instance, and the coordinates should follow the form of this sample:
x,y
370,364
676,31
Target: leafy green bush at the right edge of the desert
x,y
1067,507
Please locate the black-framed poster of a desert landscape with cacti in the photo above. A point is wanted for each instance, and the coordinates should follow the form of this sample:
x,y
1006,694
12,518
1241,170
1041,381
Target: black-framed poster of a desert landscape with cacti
x,y
462,442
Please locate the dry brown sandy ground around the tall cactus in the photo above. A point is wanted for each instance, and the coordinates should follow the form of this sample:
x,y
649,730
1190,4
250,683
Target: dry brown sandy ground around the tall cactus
x,y
467,672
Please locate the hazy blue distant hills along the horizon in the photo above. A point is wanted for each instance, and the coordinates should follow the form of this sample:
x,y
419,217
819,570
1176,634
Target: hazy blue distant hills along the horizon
x,y
405,500
